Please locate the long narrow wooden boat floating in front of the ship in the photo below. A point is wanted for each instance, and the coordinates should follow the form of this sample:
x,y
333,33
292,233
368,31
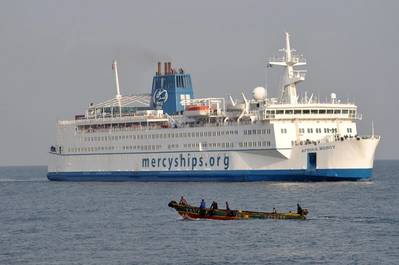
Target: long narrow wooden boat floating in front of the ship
x,y
192,212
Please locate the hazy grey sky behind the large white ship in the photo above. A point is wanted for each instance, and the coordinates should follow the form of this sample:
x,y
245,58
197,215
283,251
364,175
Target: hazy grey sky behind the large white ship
x,y
55,57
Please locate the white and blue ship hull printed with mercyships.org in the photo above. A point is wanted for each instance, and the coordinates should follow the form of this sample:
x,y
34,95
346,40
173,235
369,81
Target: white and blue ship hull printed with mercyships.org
x,y
350,159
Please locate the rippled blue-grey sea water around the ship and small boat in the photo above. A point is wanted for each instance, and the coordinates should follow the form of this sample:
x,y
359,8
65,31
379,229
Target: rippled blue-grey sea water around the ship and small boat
x,y
43,222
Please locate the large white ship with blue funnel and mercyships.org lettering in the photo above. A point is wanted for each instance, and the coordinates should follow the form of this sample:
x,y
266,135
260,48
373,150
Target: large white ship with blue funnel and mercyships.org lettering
x,y
170,135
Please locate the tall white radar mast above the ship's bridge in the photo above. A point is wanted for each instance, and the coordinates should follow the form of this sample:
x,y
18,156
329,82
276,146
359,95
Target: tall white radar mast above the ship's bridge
x,y
291,76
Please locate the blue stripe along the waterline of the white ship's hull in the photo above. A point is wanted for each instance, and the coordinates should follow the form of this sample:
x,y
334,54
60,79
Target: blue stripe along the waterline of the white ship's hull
x,y
230,175
